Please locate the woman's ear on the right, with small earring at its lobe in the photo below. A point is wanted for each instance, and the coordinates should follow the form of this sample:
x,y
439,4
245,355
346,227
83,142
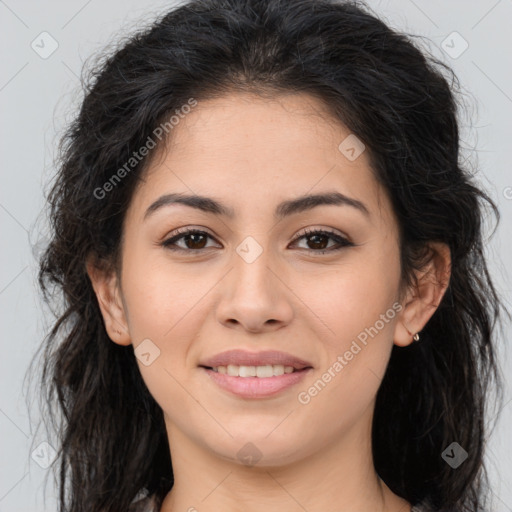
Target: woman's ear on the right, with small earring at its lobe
x,y
422,299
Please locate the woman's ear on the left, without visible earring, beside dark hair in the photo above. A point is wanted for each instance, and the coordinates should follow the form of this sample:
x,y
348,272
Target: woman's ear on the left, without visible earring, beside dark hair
x,y
108,292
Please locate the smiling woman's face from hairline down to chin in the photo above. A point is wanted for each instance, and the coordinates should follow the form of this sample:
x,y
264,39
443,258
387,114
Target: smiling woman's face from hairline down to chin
x,y
258,271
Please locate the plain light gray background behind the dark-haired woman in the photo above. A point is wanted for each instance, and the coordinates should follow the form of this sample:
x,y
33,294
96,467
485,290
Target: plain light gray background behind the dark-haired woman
x,y
39,96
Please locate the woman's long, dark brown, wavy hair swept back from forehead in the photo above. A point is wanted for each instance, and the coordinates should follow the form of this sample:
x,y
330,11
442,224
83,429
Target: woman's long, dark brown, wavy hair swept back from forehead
x,y
395,97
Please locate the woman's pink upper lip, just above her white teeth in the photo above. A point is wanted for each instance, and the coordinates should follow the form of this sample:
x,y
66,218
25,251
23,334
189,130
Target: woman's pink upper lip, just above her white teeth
x,y
239,357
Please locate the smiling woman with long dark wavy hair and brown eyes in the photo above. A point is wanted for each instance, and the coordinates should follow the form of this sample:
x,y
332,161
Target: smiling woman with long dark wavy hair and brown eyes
x,y
272,265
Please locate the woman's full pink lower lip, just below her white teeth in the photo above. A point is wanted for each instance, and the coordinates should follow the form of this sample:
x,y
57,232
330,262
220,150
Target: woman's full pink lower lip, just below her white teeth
x,y
256,387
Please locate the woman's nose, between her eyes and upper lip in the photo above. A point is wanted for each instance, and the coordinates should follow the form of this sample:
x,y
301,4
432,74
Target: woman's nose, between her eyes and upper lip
x,y
255,296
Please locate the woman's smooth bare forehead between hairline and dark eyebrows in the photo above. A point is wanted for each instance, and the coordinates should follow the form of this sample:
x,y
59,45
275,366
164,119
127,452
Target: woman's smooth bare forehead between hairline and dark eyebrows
x,y
242,147
